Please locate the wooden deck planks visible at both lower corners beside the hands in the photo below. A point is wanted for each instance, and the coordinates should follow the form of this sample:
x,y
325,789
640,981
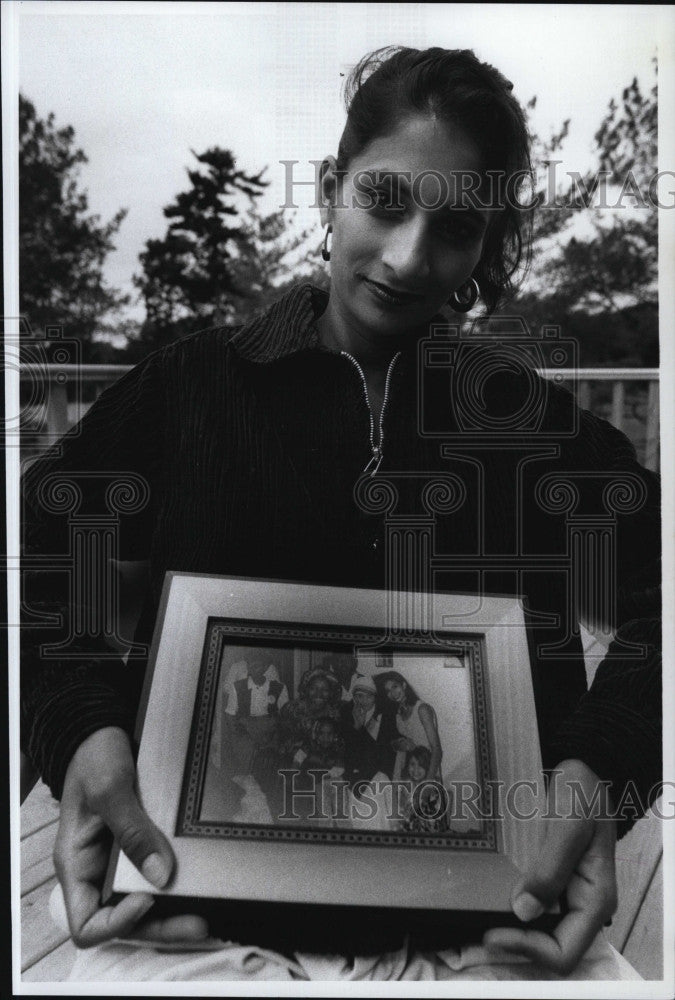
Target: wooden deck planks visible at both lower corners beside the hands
x,y
47,954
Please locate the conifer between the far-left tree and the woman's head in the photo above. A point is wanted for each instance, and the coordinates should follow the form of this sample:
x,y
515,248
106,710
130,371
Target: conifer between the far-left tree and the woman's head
x,y
221,259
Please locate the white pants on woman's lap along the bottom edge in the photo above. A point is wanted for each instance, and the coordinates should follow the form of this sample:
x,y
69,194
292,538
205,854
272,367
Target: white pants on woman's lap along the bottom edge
x,y
116,962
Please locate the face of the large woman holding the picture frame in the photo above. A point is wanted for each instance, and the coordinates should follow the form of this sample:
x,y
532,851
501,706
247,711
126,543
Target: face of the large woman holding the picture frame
x,y
393,267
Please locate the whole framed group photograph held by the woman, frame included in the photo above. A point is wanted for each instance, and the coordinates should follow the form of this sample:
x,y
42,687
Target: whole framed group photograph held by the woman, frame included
x,y
313,744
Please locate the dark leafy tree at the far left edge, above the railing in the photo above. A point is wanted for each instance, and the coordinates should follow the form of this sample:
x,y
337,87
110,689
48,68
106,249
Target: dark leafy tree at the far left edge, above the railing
x,y
62,247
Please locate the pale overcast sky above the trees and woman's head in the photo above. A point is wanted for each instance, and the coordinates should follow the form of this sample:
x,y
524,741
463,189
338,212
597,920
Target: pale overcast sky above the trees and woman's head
x,y
144,84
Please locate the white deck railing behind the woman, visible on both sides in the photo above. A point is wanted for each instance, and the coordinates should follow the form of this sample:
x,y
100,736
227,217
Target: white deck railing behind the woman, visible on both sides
x,y
57,396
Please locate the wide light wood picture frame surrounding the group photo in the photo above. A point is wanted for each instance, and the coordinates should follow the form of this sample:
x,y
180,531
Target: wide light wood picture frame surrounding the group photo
x,y
335,869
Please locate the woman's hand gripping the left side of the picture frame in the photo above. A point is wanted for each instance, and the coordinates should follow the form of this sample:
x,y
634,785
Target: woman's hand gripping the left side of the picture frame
x,y
99,804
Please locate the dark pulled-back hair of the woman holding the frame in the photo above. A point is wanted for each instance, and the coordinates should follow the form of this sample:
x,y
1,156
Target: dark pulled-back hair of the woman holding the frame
x,y
391,84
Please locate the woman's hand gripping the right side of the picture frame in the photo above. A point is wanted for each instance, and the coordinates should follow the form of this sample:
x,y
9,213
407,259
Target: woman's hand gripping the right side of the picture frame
x,y
577,857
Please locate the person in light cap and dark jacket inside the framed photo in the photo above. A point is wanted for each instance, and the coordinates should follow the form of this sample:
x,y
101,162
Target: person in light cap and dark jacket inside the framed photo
x,y
366,732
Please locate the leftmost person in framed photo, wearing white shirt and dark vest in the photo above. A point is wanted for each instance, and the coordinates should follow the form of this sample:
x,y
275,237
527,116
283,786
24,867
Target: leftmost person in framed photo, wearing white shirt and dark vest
x,y
251,715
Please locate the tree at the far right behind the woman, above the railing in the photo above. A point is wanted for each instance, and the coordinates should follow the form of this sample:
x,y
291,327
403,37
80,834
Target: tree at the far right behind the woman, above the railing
x,y
599,280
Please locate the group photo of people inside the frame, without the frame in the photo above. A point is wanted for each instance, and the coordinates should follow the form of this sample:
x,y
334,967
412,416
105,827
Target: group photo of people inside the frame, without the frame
x,y
320,738
